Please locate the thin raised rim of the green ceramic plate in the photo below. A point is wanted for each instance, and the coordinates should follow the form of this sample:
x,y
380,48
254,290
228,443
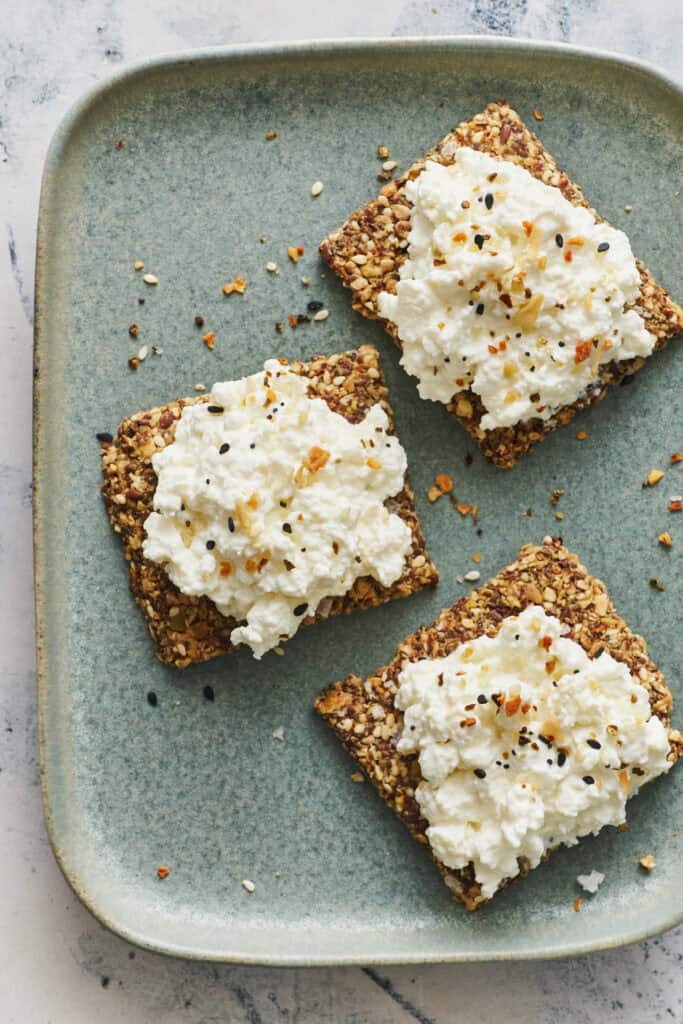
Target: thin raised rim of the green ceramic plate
x,y
60,141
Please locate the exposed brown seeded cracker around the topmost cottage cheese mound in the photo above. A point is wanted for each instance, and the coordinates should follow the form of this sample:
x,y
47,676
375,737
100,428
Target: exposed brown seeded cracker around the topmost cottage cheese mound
x,y
379,232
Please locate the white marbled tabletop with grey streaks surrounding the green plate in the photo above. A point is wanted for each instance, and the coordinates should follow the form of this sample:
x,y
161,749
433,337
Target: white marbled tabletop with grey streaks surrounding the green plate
x,y
58,965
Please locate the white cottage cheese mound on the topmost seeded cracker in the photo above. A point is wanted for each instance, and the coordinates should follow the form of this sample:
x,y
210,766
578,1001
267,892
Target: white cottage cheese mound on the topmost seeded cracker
x,y
510,290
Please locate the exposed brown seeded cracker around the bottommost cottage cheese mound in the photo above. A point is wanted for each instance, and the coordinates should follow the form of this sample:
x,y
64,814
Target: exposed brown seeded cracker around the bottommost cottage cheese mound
x,y
546,575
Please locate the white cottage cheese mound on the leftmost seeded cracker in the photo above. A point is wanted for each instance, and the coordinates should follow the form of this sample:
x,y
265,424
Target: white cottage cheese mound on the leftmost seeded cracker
x,y
268,502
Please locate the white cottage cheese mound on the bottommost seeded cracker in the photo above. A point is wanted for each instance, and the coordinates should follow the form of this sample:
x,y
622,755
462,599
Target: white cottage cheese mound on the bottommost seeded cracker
x,y
525,743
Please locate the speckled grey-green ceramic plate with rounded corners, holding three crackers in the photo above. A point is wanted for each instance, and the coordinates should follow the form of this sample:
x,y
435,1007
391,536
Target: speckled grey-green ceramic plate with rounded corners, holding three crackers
x,y
204,787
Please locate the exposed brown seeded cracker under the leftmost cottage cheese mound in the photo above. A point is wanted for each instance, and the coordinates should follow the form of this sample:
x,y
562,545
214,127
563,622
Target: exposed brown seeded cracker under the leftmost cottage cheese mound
x,y
187,630
